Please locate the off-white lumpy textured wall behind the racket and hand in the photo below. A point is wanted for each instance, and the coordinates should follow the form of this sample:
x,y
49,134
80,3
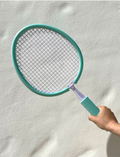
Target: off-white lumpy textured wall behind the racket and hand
x,y
36,126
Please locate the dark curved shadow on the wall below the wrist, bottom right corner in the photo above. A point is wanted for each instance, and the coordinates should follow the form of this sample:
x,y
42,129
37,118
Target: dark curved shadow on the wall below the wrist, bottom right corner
x,y
113,146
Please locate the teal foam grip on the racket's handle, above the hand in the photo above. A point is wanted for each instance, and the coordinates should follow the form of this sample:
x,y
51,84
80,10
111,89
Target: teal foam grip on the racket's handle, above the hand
x,y
90,106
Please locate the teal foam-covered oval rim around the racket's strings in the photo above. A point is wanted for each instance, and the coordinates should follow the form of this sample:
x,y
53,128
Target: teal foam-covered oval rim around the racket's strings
x,y
19,73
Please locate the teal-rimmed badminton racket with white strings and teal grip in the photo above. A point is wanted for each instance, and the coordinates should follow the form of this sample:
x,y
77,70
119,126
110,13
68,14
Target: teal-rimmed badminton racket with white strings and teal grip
x,y
49,62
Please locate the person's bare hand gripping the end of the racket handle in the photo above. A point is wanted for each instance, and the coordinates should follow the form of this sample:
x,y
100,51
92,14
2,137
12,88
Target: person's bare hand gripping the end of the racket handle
x,y
105,119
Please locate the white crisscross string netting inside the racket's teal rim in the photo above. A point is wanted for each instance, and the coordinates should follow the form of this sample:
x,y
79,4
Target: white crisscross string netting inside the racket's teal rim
x,y
47,60
